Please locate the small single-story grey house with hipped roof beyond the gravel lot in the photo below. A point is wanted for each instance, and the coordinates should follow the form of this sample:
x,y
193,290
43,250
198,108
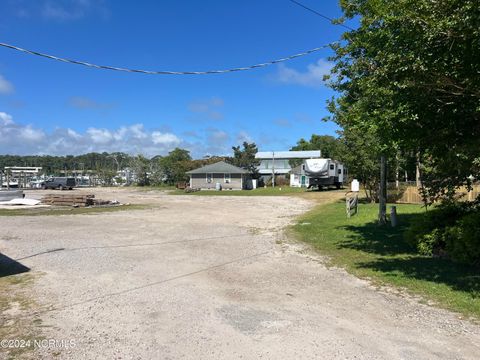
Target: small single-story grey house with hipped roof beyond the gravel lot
x,y
228,176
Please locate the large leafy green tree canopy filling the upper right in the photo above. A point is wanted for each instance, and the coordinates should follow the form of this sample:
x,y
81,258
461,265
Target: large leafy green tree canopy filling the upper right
x,y
410,76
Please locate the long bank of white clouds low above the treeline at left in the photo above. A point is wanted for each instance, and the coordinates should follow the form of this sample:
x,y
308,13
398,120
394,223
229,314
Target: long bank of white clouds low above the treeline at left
x,y
16,138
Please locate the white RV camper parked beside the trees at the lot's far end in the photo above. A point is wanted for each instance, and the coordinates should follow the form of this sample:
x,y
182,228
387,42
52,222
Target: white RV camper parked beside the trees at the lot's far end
x,y
324,173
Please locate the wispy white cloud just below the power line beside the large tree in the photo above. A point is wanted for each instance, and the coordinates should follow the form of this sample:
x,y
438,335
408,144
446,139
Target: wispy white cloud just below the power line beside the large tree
x,y
313,76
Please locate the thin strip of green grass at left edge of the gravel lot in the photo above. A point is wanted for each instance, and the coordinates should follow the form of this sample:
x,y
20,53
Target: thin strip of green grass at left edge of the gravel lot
x,y
64,210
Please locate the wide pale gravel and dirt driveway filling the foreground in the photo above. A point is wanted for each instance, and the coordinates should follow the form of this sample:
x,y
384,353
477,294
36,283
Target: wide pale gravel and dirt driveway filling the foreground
x,y
213,278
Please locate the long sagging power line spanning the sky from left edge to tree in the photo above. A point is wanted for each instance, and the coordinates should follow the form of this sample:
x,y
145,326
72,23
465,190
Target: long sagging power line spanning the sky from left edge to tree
x,y
161,72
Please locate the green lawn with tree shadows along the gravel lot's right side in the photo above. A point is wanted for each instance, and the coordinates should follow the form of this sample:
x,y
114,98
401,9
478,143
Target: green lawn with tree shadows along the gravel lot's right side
x,y
379,253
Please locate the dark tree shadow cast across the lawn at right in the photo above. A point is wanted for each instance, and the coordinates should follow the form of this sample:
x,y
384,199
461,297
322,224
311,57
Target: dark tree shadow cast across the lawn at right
x,y
393,256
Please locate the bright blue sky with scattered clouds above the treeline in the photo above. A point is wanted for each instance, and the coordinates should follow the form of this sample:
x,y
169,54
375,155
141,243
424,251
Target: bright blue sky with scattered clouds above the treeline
x,y
56,108
